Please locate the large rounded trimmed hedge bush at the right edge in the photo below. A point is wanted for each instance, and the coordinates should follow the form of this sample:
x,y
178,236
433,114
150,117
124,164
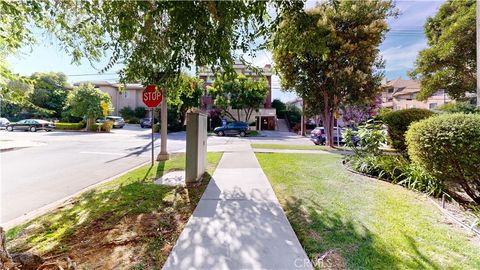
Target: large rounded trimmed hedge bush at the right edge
x,y
448,146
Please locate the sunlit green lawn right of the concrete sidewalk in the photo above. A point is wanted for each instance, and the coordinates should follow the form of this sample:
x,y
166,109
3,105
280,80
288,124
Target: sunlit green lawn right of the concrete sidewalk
x,y
348,221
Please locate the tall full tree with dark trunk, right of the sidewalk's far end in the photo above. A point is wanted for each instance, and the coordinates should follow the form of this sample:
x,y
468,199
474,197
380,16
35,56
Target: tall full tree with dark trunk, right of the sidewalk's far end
x,y
329,55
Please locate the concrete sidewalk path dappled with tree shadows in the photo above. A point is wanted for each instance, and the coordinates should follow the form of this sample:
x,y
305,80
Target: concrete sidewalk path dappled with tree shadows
x,y
238,223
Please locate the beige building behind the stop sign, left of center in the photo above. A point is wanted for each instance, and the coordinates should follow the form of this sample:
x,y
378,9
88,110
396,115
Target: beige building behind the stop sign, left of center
x,y
121,95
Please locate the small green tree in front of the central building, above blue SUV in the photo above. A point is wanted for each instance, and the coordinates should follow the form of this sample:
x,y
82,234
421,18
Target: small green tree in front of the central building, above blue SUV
x,y
239,93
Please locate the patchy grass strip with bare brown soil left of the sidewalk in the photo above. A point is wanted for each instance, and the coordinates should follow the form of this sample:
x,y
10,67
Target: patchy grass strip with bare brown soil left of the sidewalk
x,y
128,222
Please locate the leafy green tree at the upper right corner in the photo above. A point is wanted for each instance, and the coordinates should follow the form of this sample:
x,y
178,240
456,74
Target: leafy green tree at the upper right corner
x,y
449,62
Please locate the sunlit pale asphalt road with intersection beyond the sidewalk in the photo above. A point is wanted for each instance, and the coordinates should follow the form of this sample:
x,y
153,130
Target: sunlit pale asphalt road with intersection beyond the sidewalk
x,y
59,164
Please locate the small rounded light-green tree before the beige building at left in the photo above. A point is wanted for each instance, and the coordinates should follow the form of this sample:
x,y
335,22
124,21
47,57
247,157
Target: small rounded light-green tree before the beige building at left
x,y
49,91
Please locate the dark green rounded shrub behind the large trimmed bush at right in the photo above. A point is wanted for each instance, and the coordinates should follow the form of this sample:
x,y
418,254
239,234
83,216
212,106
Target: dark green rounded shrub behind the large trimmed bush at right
x,y
398,123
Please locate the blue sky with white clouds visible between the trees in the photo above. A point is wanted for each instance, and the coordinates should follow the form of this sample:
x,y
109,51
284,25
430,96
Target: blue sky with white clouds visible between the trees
x,y
399,50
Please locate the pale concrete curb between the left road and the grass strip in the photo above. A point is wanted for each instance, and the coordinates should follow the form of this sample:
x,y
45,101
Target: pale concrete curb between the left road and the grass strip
x,y
56,204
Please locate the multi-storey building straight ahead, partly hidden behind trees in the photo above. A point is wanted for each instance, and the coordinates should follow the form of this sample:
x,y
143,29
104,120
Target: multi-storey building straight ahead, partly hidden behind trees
x,y
265,117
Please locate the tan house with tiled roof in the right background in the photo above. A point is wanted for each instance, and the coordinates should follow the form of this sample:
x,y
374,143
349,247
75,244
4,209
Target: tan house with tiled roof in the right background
x,y
401,94
